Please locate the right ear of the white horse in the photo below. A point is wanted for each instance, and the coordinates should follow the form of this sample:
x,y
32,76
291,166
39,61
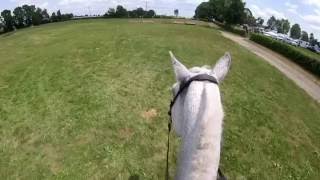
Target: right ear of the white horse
x,y
222,67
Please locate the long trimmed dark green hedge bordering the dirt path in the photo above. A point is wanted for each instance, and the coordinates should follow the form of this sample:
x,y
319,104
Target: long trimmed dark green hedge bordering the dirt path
x,y
309,63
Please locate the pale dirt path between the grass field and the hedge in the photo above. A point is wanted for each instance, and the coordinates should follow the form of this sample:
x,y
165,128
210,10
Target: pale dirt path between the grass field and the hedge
x,y
301,77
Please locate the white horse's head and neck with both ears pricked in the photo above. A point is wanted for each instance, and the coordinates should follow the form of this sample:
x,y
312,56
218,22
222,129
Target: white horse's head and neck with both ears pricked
x,y
197,118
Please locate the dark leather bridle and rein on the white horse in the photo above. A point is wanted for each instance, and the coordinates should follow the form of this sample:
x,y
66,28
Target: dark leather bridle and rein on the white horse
x,y
184,85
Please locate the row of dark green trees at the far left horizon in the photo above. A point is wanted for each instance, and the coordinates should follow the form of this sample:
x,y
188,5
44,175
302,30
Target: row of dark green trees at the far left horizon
x,y
29,15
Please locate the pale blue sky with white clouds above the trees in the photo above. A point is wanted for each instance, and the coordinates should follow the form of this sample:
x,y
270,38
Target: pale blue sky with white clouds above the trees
x,y
304,12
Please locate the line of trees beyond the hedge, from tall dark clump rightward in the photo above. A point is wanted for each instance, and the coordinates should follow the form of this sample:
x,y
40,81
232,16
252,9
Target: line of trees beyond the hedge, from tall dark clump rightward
x,y
233,12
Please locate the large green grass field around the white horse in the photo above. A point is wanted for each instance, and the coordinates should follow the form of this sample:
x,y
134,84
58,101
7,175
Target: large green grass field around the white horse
x,y
89,100
